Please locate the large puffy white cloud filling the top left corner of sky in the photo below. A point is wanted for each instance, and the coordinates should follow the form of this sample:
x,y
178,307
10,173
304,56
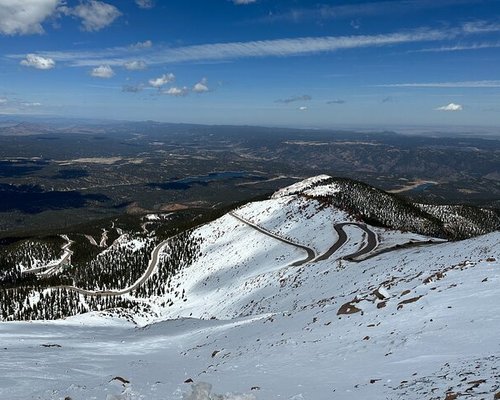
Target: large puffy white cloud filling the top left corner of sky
x,y
22,17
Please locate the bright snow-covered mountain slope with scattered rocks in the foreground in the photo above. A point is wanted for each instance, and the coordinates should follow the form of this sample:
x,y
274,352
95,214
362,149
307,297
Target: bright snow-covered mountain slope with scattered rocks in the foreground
x,y
256,318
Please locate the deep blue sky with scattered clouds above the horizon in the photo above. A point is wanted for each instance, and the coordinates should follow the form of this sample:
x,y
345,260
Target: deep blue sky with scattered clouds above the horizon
x,y
263,62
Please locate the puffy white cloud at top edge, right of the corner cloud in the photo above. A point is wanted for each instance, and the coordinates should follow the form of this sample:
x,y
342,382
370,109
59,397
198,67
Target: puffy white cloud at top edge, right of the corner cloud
x,y
95,15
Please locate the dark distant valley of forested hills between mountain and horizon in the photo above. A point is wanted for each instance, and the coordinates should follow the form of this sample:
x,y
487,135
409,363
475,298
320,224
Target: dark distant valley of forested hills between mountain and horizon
x,y
58,174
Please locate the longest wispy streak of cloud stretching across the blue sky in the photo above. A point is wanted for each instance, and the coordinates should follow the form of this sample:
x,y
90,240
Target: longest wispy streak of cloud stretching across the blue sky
x,y
286,47
